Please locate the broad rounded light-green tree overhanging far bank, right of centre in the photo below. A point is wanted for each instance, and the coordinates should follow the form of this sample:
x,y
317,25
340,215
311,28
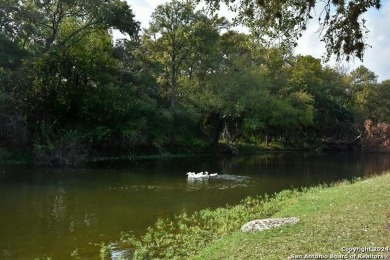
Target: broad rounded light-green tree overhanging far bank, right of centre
x,y
241,101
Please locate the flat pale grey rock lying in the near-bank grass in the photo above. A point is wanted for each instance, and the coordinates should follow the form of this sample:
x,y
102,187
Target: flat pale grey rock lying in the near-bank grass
x,y
262,224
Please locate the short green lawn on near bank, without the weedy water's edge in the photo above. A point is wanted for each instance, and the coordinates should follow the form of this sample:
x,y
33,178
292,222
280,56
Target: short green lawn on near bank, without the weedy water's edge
x,y
345,215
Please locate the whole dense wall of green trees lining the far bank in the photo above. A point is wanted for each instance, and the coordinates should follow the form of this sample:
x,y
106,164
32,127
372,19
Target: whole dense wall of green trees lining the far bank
x,y
70,92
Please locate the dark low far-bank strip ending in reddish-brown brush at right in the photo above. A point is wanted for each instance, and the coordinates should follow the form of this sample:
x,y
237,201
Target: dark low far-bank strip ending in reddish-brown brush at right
x,y
374,139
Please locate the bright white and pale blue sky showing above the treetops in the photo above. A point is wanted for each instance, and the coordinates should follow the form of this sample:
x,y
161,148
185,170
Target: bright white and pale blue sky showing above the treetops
x,y
376,58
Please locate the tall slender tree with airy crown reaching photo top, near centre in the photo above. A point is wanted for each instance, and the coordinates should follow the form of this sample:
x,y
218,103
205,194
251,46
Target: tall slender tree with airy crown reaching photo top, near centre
x,y
169,39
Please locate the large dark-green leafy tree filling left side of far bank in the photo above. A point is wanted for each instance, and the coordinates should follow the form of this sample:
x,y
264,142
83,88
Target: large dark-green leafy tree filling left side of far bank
x,y
66,82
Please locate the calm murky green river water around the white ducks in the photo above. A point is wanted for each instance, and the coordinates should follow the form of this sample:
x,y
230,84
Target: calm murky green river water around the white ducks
x,y
51,211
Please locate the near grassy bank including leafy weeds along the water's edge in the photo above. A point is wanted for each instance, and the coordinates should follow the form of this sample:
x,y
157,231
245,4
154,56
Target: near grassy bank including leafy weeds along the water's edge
x,y
332,217
